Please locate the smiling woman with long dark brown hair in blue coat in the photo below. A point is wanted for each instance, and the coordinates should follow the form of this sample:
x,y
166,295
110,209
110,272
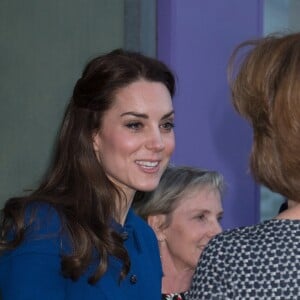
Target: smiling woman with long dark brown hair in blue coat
x,y
76,237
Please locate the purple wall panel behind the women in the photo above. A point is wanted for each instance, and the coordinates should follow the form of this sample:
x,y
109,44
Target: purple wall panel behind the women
x,y
196,39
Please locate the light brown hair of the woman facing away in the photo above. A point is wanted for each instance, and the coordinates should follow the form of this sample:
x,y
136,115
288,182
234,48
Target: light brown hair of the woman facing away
x,y
265,88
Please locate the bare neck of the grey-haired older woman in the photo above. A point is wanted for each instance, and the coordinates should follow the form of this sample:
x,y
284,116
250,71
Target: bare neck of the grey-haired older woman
x,y
176,278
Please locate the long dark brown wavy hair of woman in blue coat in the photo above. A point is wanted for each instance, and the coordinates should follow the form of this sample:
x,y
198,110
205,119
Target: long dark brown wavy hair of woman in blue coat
x,y
76,184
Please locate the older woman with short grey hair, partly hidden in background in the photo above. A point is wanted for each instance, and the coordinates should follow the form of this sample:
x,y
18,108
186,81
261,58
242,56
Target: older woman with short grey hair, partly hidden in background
x,y
184,211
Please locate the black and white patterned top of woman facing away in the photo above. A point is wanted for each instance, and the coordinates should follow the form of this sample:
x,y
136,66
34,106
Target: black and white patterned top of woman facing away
x,y
255,262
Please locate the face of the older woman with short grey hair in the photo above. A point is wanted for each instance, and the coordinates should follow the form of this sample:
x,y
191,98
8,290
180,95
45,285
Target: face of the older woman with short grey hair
x,y
193,223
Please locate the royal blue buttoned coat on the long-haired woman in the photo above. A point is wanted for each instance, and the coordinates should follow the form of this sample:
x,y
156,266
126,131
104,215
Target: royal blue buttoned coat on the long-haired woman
x,y
32,271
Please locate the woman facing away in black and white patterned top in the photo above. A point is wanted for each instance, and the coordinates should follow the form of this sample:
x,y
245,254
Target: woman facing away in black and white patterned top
x,y
262,261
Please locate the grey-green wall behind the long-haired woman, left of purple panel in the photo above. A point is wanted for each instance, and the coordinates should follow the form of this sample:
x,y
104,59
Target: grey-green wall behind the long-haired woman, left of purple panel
x,y
44,47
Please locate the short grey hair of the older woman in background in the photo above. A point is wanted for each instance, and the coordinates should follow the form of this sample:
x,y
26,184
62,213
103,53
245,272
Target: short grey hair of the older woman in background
x,y
175,183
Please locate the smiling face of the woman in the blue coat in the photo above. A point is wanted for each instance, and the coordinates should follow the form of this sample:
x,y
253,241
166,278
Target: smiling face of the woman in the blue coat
x,y
136,138
